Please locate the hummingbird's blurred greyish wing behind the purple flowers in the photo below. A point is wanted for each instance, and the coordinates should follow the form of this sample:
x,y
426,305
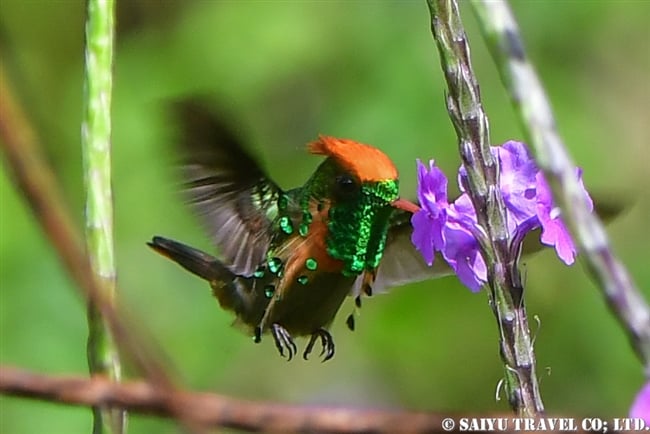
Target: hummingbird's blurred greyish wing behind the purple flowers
x,y
401,263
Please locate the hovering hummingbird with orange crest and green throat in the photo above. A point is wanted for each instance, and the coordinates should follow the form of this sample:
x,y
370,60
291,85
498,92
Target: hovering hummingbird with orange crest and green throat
x,y
288,259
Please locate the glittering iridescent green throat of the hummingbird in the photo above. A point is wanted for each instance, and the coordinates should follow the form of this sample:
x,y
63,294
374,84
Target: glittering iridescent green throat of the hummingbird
x,y
357,229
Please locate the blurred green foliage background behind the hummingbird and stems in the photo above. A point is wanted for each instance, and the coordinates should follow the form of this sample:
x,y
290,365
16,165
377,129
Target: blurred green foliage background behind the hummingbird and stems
x,y
285,72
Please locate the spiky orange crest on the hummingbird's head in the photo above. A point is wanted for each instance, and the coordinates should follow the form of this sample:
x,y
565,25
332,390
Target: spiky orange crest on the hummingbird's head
x,y
364,161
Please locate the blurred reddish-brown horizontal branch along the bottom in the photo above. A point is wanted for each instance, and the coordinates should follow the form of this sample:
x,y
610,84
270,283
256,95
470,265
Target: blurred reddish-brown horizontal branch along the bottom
x,y
211,410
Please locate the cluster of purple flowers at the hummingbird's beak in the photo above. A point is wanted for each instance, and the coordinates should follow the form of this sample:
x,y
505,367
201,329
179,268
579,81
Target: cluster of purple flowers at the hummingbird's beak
x,y
449,228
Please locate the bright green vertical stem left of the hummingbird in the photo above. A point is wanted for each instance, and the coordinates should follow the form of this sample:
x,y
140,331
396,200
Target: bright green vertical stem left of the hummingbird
x,y
103,357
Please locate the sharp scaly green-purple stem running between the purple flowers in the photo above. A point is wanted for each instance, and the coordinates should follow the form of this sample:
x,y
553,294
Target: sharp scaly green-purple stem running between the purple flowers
x,y
505,289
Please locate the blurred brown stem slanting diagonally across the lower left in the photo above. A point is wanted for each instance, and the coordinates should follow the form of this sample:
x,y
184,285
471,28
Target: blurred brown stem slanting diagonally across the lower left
x,y
36,183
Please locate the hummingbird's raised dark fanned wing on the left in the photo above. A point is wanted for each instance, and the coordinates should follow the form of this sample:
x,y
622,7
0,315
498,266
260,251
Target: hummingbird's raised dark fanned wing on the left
x,y
235,199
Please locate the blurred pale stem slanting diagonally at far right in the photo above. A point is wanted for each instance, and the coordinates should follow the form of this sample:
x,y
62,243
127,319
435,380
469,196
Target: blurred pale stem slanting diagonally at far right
x,y
533,108
